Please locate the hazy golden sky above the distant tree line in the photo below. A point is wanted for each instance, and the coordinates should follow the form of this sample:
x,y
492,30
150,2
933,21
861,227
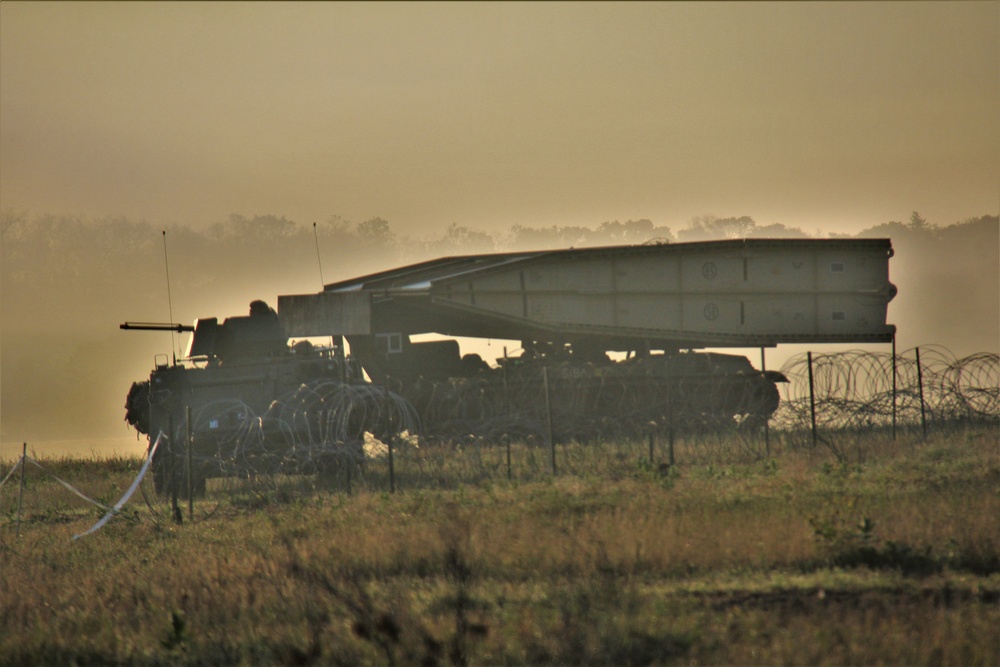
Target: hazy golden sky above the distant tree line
x,y
832,116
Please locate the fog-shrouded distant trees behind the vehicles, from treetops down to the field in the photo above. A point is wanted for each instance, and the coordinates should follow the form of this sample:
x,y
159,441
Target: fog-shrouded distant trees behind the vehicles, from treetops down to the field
x,y
67,282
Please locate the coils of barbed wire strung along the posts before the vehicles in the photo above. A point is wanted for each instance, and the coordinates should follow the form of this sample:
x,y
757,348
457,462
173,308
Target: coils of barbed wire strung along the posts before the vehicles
x,y
324,423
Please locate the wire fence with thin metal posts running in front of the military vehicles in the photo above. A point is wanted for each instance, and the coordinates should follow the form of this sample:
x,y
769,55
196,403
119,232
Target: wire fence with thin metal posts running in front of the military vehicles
x,y
369,435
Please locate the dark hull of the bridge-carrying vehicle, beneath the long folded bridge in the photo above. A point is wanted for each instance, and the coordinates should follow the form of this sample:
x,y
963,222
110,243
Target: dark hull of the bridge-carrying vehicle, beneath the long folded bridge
x,y
588,402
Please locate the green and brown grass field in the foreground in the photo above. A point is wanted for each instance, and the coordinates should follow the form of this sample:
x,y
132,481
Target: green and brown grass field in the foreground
x,y
863,551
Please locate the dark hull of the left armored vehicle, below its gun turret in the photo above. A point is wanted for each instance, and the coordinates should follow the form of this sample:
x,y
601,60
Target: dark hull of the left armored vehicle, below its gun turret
x,y
250,416
